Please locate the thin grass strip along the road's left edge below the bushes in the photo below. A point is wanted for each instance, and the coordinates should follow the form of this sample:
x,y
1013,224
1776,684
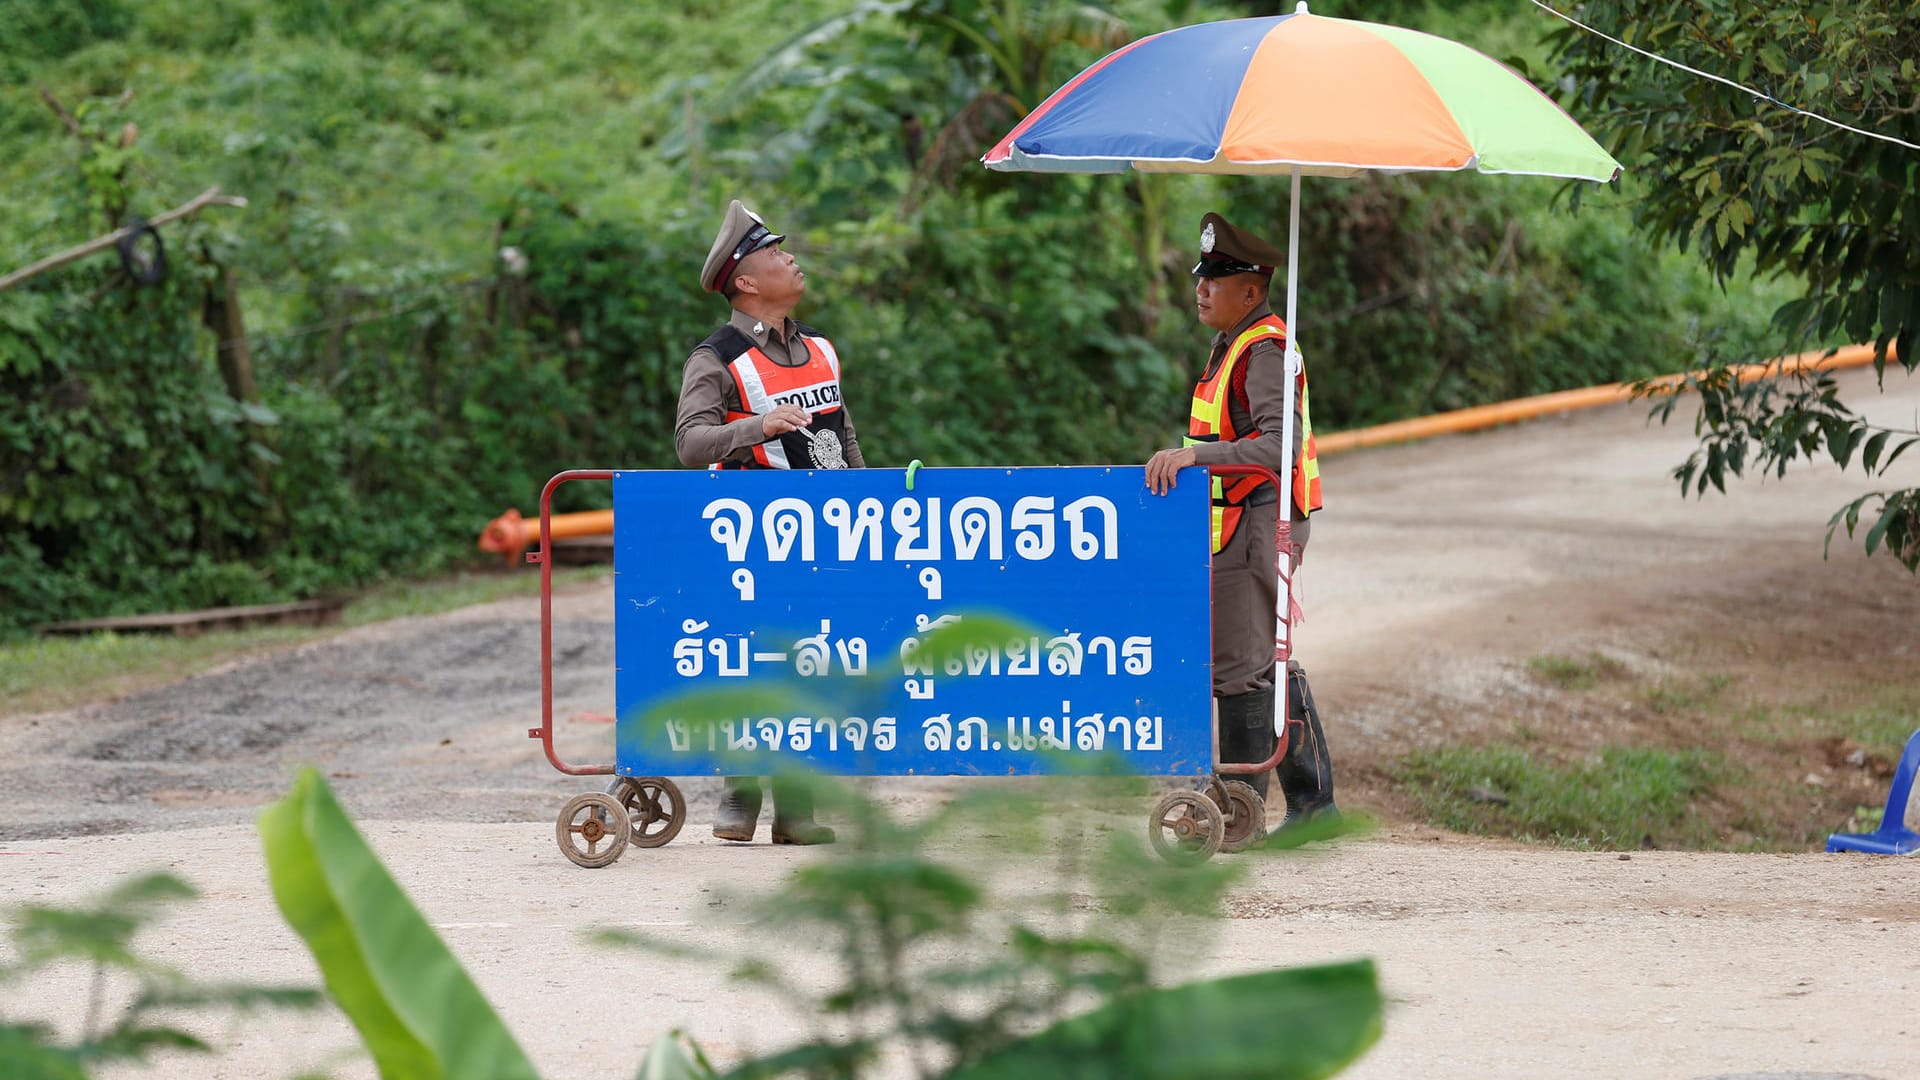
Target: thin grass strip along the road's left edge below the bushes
x,y
47,674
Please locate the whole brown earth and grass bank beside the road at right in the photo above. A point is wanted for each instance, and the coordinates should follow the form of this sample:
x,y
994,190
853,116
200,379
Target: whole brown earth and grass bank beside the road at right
x,y
1714,760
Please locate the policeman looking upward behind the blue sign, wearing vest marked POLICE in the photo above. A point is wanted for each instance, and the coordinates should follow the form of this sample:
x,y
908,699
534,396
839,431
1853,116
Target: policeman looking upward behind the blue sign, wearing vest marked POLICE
x,y
763,393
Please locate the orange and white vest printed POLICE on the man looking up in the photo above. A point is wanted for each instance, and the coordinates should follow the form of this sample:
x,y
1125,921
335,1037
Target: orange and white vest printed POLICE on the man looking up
x,y
761,383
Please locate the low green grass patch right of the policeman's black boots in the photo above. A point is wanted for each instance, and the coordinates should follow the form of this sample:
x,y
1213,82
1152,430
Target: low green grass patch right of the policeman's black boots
x,y
1621,798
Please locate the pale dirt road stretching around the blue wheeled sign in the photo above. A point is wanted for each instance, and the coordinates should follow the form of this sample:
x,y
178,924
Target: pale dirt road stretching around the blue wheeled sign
x,y
1437,572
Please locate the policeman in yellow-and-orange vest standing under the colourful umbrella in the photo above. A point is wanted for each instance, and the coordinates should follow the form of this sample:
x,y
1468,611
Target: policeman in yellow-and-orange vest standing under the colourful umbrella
x,y
1237,414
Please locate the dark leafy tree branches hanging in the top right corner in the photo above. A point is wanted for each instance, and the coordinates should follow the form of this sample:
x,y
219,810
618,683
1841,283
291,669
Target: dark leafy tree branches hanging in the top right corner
x,y
1746,184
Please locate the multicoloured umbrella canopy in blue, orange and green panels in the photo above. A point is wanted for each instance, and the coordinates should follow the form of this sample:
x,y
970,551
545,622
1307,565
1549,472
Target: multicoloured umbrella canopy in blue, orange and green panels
x,y
1326,97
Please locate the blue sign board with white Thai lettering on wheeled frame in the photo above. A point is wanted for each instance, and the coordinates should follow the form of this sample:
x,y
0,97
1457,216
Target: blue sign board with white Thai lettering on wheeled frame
x,y
984,622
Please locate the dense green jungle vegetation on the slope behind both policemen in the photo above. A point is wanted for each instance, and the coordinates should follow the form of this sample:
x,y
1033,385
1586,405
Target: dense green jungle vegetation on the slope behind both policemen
x,y
473,235
